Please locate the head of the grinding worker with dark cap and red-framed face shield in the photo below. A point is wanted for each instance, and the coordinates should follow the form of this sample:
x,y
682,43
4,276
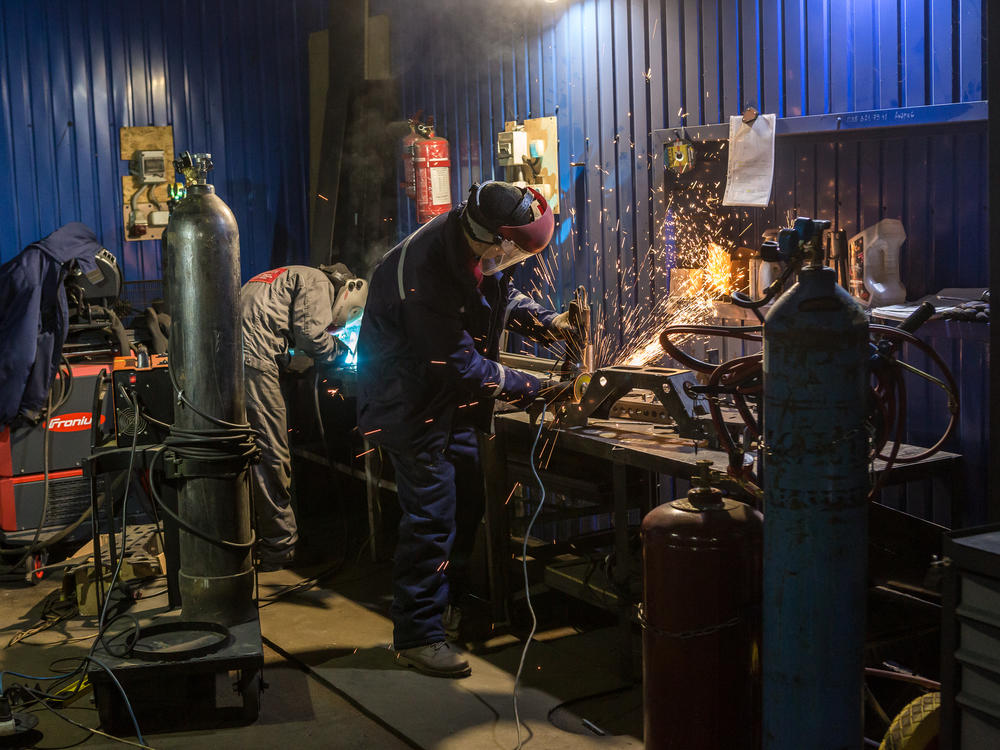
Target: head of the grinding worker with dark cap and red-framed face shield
x,y
517,222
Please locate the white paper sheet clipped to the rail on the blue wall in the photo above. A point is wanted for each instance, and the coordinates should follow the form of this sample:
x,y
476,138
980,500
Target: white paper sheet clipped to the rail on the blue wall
x,y
751,162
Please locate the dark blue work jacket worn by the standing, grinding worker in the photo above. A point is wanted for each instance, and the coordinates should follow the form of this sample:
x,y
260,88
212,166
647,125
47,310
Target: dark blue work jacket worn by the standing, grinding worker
x,y
429,341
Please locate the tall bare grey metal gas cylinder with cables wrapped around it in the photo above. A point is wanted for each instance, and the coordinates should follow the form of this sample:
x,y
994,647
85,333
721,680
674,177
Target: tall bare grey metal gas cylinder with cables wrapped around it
x,y
201,246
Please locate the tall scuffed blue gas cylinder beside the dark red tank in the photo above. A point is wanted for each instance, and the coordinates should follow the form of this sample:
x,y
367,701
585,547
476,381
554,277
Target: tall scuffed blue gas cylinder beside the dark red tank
x,y
815,475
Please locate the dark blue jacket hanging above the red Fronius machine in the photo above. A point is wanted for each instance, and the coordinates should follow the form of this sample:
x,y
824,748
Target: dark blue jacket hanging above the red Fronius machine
x,y
34,317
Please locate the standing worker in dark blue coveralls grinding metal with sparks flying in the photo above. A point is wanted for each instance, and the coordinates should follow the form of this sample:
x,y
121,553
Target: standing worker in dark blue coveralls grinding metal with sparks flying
x,y
428,371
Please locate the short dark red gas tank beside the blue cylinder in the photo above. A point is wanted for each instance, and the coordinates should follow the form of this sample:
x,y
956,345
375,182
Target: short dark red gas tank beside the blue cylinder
x,y
701,559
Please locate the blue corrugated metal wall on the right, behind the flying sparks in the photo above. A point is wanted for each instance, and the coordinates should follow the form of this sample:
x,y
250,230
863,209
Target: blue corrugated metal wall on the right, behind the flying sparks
x,y
615,70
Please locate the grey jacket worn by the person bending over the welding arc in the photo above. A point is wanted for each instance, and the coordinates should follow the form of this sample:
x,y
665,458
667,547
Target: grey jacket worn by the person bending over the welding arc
x,y
287,308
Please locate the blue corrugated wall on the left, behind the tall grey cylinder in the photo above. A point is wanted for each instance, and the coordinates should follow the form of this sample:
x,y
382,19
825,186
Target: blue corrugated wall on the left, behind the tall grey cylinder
x,y
230,76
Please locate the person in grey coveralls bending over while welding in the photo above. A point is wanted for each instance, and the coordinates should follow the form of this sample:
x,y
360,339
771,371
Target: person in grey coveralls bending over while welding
x,y
293,307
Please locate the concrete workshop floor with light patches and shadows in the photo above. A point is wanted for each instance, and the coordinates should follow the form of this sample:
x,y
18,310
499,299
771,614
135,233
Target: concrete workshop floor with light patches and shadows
x,y
332,681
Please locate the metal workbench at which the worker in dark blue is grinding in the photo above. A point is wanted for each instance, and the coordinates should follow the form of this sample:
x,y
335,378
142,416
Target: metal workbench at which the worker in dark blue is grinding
x,y
612,468
